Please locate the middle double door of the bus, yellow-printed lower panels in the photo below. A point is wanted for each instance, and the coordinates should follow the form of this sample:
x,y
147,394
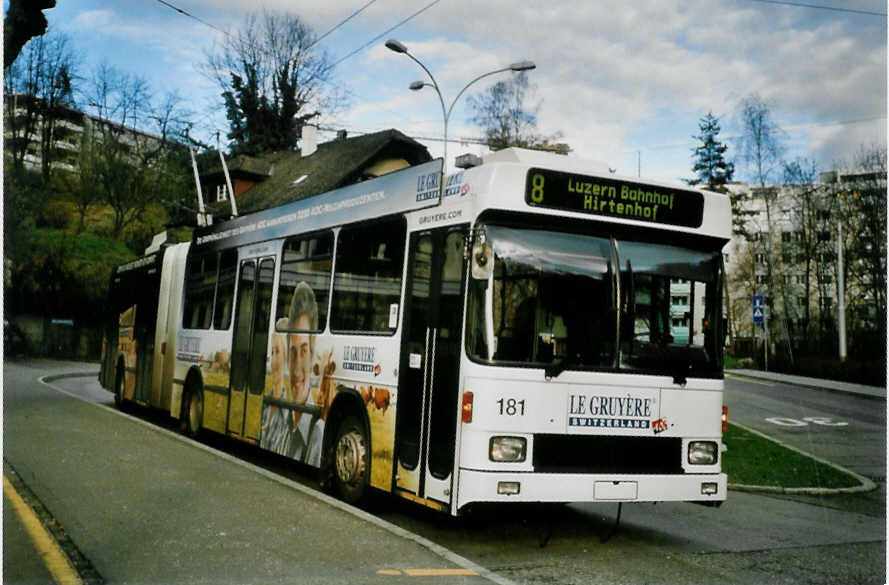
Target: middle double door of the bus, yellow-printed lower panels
x,y
249,347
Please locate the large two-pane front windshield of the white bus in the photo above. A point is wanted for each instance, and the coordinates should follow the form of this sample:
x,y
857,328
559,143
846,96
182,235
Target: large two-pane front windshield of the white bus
x,y
573,301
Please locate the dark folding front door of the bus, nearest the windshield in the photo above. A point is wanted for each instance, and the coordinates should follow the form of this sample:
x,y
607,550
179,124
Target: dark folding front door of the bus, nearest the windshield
x,y
430,362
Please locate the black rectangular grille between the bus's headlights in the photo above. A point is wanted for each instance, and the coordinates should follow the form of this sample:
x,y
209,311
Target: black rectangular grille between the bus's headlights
x,y
600,454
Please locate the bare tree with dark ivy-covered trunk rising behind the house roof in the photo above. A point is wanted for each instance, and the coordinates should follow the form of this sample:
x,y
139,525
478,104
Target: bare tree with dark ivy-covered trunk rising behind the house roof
x,y
272,78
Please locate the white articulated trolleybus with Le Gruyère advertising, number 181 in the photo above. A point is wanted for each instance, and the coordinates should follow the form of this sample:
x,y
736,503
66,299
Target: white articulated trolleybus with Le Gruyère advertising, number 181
x,y
537,330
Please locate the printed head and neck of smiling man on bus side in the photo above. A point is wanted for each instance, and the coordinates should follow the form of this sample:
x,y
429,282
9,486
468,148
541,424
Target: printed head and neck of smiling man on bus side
x,y
303,319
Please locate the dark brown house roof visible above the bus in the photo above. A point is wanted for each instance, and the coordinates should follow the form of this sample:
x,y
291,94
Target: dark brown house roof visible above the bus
x,y
291,176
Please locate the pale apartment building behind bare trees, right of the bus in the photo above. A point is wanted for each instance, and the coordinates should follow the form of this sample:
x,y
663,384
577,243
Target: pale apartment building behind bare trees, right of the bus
x,y
789,254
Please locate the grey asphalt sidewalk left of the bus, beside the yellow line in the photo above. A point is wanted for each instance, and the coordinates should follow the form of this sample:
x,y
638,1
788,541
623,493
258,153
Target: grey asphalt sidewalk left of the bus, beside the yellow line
x,y
146,505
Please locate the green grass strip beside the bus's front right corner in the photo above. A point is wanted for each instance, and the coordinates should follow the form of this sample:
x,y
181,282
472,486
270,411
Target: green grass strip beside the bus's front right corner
x,y
754,460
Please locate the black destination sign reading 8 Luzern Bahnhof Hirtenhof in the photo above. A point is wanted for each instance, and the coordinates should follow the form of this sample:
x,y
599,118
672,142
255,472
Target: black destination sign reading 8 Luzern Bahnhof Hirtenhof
x,y
614,198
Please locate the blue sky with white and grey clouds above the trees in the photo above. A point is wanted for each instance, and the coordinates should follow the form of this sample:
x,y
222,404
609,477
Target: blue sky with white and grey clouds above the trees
x,y
624,82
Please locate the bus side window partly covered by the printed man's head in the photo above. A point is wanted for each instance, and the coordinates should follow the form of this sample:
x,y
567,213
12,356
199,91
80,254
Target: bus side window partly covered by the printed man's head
x,y
305,260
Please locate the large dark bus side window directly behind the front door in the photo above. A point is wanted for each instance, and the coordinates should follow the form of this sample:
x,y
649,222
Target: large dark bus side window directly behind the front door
x,y
367,283
